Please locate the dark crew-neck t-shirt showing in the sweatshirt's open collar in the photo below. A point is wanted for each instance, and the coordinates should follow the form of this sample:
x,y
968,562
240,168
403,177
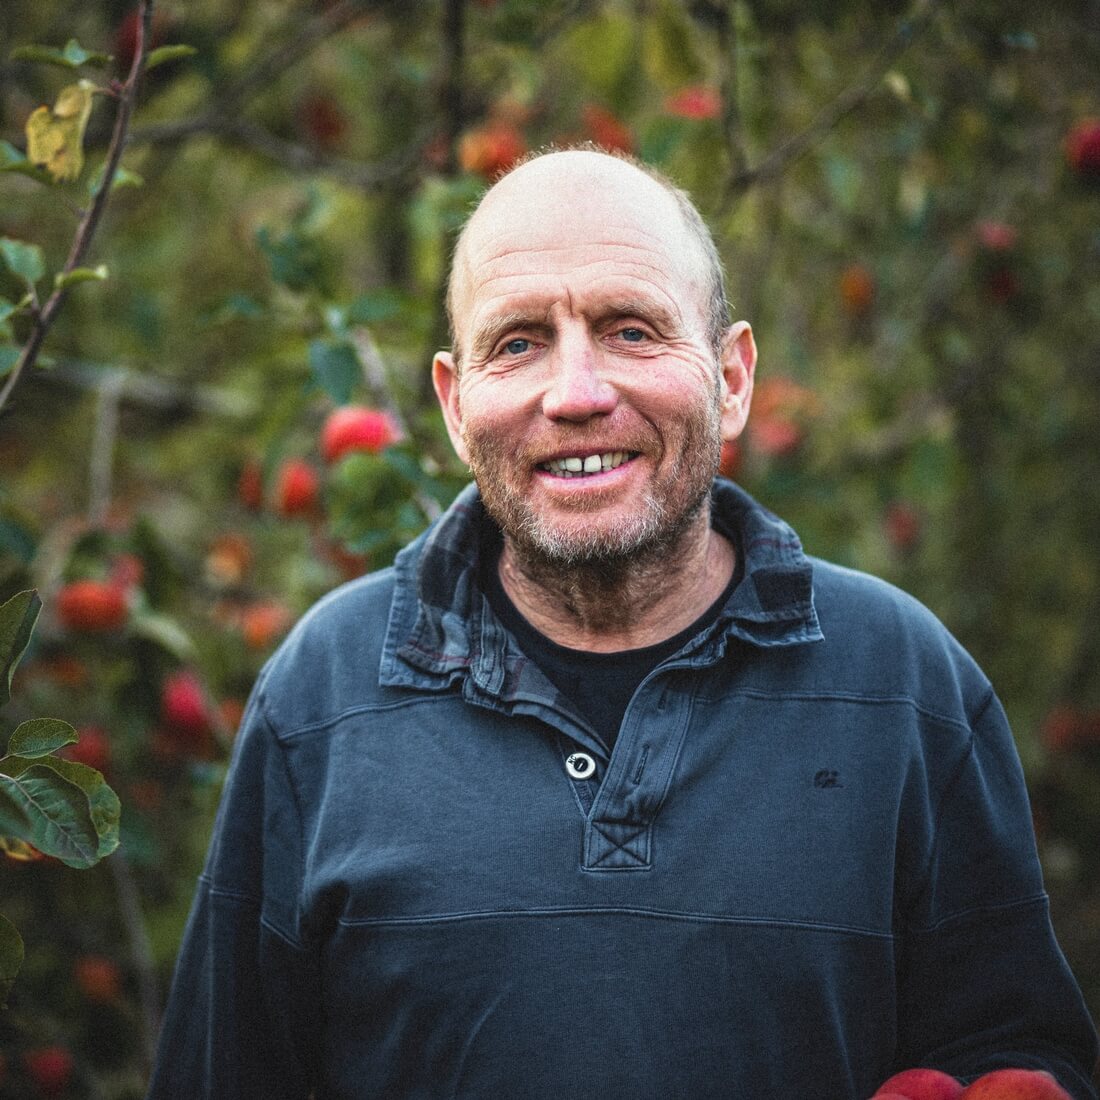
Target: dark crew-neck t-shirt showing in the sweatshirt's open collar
x,y
600,686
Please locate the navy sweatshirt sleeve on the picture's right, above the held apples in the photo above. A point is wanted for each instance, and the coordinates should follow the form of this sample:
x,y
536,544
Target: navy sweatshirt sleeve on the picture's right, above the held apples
x,y
983,983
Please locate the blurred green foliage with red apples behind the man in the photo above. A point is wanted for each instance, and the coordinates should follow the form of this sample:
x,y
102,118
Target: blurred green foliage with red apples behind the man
x,y
908,203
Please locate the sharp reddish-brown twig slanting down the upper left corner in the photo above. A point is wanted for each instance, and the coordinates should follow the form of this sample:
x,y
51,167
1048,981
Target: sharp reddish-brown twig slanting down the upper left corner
x,y
86,230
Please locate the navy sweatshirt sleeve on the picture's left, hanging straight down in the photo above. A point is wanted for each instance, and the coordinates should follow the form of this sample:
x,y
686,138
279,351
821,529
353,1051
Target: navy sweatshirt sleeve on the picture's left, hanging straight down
x,y
244,1009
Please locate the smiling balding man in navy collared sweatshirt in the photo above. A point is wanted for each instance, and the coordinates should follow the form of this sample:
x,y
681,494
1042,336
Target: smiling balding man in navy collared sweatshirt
x,y
606,789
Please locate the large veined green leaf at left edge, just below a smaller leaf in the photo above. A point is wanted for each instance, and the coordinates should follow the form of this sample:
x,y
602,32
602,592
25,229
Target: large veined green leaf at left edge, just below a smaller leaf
x,y
58,815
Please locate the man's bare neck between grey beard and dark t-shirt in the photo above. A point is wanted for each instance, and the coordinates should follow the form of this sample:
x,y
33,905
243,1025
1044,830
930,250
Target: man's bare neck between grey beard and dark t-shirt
x,y
608,608
